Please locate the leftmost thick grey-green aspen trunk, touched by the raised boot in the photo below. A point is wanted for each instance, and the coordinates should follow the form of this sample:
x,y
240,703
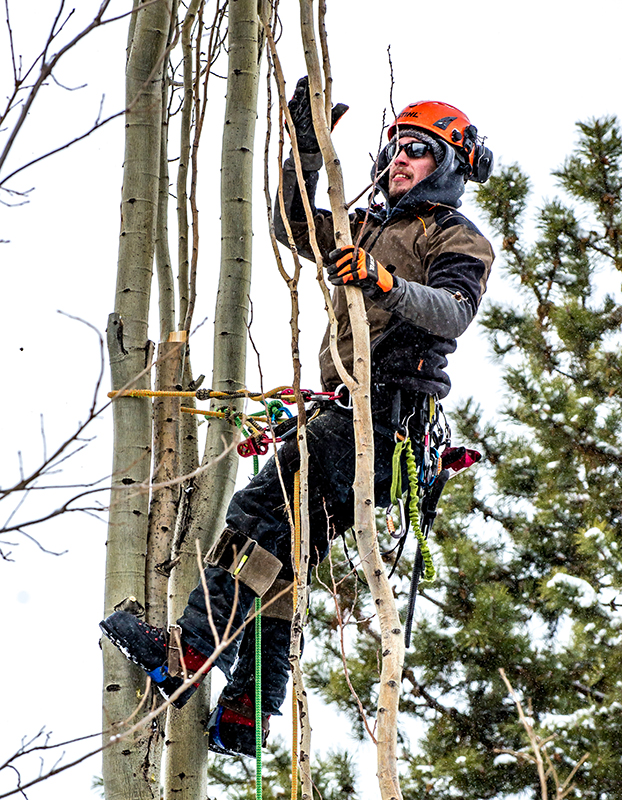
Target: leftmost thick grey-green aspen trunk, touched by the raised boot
x,y
128,768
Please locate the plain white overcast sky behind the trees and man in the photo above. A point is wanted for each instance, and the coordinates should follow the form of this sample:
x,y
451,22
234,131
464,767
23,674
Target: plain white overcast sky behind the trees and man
x,y
524,73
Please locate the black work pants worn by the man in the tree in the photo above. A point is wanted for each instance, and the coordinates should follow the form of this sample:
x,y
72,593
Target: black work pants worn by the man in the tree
x,y
258,511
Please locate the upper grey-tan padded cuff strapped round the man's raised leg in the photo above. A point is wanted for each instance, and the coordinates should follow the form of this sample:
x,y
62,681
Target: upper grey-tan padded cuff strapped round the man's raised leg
x,y
245,559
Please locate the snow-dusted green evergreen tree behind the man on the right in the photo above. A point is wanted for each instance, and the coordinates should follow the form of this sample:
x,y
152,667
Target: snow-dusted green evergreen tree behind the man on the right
x,y
526,546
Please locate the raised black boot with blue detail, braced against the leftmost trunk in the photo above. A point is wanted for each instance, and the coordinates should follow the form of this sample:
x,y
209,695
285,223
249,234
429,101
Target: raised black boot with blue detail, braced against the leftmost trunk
x,y
146,646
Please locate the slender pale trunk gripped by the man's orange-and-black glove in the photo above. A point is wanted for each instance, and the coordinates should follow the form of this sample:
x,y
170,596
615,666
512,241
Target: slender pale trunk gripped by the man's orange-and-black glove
x,y
364,518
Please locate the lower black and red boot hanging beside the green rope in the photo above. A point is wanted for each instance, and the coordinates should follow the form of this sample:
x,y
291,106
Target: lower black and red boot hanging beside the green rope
x,y
231,727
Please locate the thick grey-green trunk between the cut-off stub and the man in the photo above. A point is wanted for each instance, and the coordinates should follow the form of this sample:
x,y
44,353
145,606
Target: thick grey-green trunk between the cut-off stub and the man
x,y
205,499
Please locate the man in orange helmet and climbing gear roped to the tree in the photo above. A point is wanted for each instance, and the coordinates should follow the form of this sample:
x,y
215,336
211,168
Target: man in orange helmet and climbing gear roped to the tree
x,y
423,269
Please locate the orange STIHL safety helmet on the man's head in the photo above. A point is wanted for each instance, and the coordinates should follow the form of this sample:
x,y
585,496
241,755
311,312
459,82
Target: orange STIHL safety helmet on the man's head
x,y
453,126
